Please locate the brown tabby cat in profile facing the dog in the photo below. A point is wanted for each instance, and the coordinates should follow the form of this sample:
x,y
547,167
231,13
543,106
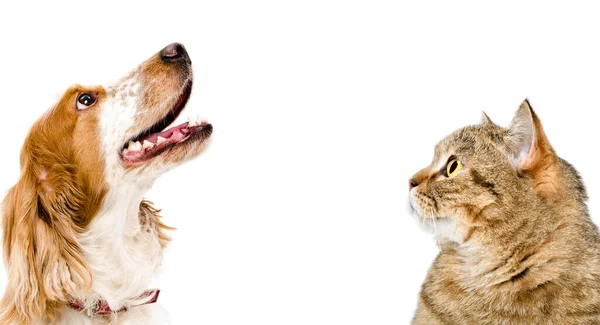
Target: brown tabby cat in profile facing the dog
x,y
517,242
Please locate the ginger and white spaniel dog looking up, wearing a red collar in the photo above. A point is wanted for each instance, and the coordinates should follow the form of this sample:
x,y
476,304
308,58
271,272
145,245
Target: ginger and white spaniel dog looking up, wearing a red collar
x,y
80,243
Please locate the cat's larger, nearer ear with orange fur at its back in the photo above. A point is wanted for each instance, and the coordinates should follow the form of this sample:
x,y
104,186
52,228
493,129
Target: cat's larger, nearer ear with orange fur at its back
x,y
530,151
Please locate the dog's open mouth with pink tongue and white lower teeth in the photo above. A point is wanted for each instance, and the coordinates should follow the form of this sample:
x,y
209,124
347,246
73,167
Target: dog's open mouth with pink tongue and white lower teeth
x,y
159,138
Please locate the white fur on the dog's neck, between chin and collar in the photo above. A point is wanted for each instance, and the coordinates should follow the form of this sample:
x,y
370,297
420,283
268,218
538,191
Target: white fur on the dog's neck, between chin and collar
x,y
122,253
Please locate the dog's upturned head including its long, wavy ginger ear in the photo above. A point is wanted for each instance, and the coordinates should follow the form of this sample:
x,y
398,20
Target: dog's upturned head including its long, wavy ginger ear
x,y
93,139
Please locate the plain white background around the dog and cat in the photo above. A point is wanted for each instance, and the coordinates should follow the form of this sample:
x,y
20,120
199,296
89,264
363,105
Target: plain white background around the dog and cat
x,y
322,111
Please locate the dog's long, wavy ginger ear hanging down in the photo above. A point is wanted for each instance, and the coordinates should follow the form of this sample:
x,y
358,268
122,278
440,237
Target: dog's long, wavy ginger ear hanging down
x,y
41,253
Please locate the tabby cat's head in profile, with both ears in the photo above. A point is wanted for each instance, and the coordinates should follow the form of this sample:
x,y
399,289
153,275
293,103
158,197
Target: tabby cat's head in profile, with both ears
x,y
485,176
